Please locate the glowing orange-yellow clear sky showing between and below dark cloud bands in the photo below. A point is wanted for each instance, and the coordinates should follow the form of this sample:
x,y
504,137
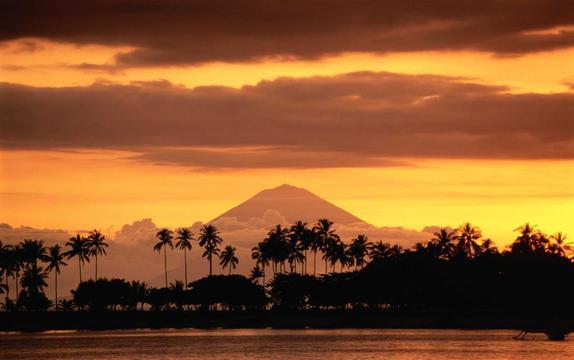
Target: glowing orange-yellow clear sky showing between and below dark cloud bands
x,y
100,187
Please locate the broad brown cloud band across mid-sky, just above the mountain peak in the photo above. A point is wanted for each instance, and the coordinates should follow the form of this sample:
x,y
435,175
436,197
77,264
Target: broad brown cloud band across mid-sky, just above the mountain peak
x,y
356,119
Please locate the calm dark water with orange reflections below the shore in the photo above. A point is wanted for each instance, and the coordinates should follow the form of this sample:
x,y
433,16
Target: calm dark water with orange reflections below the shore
x,y
282,344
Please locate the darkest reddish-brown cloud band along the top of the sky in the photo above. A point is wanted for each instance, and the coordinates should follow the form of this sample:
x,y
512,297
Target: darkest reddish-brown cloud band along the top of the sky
x,y
186,32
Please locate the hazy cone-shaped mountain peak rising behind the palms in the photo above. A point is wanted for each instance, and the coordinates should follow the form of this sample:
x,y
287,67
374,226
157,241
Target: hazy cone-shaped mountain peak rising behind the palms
x,y
293,203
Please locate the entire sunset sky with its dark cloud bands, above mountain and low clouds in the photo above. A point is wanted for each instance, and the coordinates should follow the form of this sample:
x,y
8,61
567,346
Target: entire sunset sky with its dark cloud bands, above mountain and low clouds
x,y
405,113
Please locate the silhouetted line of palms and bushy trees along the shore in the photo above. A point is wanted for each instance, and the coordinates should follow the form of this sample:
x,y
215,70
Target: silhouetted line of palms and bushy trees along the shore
x,y
455,266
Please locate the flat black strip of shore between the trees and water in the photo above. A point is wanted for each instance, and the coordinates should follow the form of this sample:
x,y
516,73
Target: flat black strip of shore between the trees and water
x,y
132,320
